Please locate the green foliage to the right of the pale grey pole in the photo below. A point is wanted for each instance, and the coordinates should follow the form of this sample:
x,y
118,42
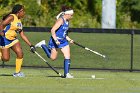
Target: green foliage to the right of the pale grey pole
x,y
128,14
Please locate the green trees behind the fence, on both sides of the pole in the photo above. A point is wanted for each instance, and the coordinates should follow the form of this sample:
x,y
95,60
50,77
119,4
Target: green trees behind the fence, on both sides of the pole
x,y
87,12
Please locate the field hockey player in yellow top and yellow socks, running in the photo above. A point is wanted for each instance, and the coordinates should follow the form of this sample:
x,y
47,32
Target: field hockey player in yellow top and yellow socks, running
x,y
10,26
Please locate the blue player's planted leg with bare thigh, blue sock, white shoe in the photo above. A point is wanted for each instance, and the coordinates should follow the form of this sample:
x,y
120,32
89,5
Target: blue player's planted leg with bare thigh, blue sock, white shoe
x,y
66,51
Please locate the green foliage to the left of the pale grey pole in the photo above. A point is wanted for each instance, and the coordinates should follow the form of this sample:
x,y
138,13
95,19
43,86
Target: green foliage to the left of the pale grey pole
x,y
44,15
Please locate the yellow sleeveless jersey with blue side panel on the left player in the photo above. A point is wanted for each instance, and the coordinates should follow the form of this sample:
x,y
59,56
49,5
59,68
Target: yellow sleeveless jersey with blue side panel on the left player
x,y
12,29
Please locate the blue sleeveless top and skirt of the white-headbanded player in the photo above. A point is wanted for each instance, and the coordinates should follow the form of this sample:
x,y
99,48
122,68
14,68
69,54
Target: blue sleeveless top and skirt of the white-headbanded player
x,y
61,35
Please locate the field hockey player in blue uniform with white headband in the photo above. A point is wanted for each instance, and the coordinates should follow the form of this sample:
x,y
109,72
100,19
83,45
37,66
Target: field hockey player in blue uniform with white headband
x,y
59,39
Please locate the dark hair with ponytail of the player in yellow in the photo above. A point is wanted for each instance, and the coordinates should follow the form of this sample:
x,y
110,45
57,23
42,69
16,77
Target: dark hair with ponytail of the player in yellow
x,y
15,10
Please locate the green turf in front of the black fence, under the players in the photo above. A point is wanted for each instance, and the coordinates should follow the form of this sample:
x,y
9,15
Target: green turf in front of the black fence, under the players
x,y
46,81
